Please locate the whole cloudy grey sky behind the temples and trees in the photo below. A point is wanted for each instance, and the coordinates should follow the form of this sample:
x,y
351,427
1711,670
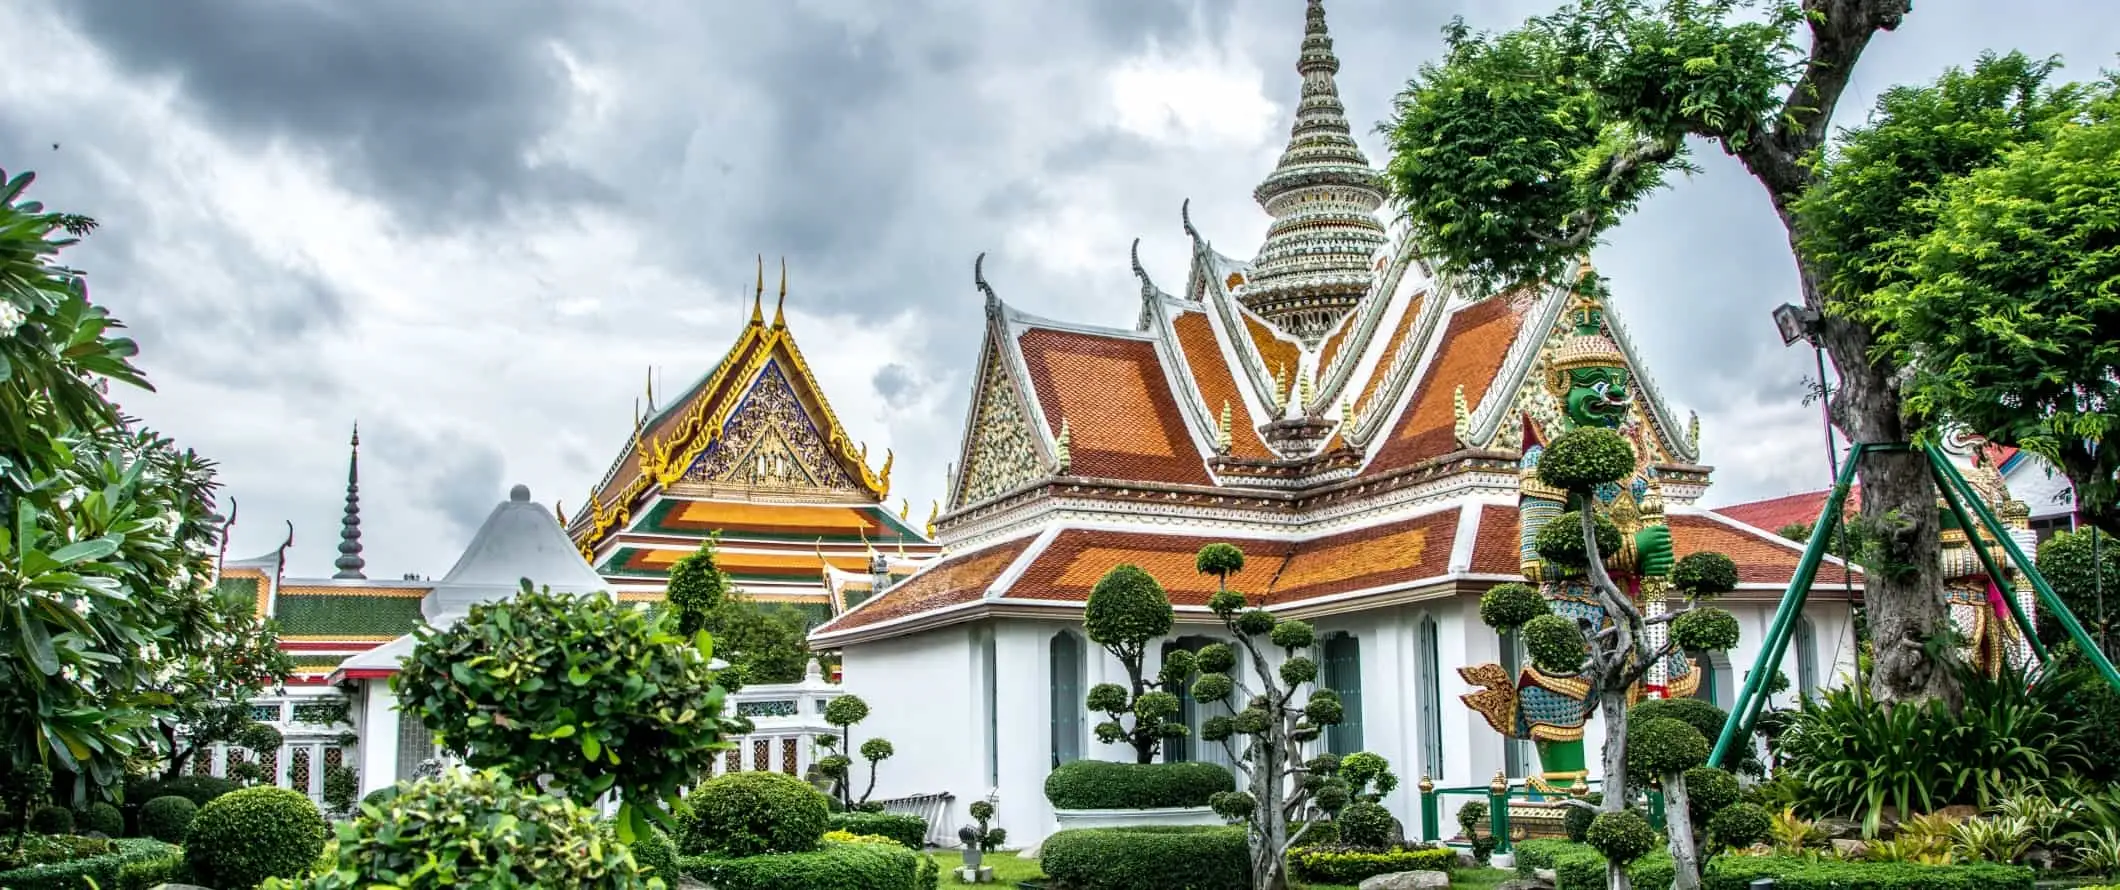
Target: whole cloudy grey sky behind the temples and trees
x,y
476,226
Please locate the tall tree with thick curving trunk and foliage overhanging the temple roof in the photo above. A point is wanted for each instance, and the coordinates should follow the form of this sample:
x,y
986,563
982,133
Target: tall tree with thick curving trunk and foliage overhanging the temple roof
x,y
1521,149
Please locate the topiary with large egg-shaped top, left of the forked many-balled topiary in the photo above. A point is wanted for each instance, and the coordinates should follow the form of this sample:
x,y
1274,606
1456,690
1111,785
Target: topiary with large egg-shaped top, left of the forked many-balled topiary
x,y
1125,613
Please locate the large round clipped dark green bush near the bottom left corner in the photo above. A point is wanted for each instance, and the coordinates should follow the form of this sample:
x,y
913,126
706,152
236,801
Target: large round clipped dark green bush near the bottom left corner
x,y
247,836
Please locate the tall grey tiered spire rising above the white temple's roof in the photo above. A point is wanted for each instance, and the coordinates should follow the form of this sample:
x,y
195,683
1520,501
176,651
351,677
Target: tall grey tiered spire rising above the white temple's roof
x,y
1324,196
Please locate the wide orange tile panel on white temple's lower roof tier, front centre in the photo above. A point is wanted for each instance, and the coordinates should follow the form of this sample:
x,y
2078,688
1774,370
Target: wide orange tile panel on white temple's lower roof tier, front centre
x,y
1275,571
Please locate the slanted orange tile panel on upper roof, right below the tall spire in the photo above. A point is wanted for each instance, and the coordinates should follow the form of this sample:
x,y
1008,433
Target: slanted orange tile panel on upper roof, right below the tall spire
x,y
1470,355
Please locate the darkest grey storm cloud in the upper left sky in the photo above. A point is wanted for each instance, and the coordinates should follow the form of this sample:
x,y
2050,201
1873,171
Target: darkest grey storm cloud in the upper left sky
x,y
429,105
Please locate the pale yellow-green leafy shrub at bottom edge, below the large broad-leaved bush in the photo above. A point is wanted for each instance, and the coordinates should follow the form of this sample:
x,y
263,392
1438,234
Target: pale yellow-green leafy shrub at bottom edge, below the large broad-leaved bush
x,y
476,830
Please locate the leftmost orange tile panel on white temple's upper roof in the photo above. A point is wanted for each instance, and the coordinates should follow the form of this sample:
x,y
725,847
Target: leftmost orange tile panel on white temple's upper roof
x,y
1118,406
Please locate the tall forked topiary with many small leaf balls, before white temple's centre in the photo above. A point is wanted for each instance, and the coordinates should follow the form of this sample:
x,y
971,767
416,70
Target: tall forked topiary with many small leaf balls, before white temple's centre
x,y
1273,726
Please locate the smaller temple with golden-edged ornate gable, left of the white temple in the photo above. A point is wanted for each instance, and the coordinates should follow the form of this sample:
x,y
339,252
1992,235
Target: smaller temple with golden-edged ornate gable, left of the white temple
x,y
752,455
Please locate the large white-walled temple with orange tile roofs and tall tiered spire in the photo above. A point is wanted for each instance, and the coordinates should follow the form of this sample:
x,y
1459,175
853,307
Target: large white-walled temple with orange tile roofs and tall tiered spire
x,y
1364,431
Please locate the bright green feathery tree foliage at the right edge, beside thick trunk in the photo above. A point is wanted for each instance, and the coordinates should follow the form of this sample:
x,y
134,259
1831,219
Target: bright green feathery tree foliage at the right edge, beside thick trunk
x,y
1973,224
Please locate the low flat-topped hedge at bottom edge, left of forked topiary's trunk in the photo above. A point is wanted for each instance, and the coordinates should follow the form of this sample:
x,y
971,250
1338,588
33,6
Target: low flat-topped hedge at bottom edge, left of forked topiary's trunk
x,y
1148,859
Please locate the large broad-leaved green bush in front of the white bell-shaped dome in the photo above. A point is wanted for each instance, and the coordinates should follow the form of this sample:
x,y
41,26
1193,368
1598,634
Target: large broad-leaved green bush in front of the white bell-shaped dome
x,y
527,686
